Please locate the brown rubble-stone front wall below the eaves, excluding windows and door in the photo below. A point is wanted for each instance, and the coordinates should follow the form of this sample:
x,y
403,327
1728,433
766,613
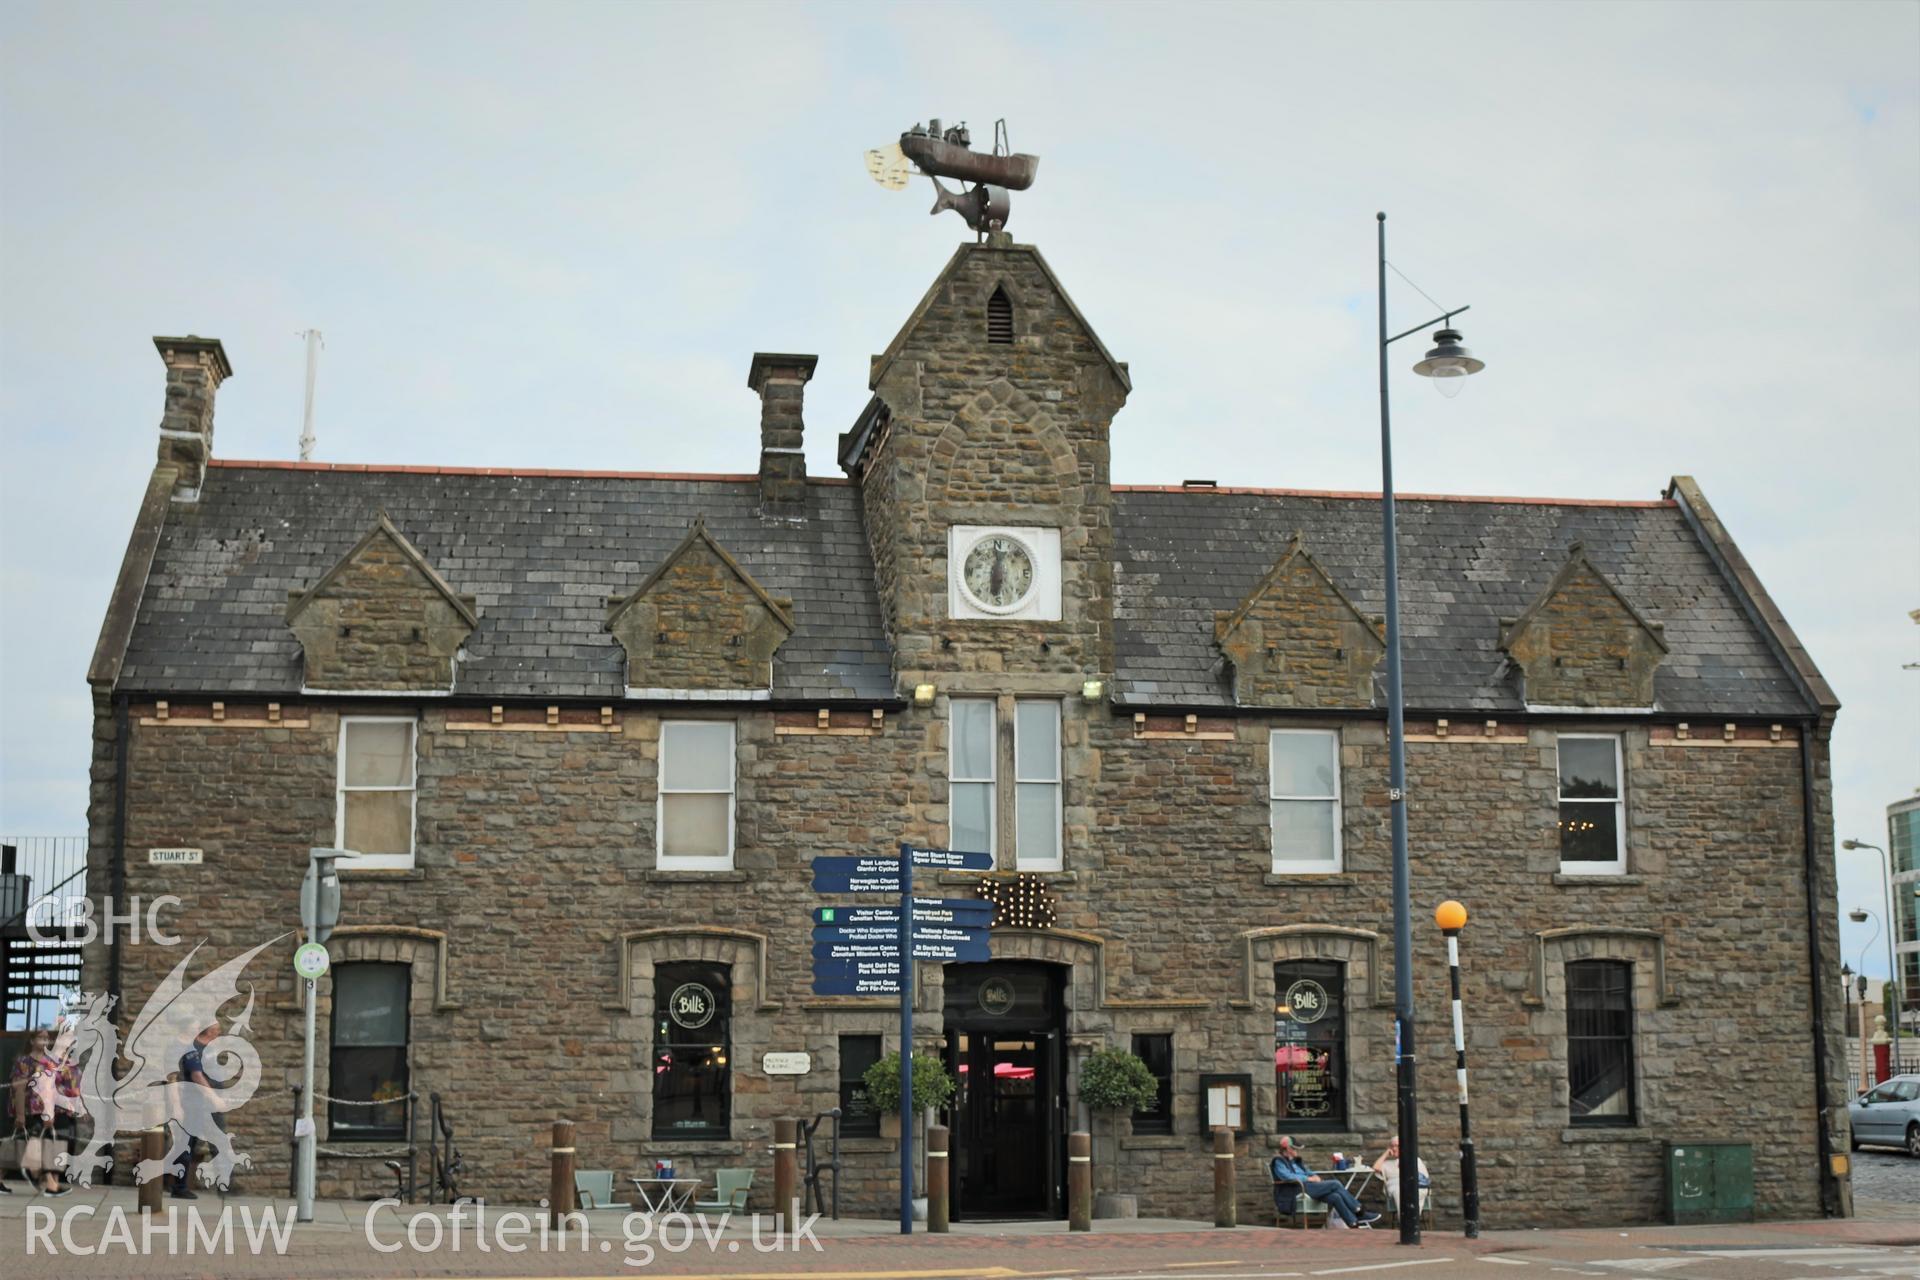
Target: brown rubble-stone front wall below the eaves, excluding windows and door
x,y
535,918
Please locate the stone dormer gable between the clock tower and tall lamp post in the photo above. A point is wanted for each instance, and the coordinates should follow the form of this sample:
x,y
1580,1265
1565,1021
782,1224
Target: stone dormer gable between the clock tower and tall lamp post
x,y
1297,640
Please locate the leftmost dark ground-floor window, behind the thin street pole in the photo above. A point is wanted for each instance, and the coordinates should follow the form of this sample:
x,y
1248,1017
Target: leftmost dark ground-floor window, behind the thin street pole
x,y
370,1053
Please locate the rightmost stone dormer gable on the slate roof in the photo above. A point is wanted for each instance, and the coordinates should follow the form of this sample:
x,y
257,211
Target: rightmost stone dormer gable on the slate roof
x,y
1583,644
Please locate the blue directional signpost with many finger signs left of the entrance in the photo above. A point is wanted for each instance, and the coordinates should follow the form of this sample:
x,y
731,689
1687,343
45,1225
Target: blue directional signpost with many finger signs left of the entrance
x,y
871,951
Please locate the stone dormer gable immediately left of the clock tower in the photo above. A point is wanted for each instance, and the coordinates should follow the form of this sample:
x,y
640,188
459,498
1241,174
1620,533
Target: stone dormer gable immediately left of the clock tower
x,y
700,623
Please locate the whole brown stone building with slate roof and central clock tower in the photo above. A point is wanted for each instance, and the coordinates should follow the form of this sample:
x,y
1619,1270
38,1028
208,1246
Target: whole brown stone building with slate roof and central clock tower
x,y
592,728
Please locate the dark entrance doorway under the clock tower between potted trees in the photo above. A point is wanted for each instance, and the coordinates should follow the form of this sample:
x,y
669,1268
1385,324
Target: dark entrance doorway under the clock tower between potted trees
x,y
1005,1047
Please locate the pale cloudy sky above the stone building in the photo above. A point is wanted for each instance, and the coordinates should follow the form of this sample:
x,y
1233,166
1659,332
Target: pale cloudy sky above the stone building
x,y
554,237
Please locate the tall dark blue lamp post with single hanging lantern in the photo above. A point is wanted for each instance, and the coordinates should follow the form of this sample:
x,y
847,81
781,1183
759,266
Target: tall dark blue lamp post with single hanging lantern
x,y
1447,364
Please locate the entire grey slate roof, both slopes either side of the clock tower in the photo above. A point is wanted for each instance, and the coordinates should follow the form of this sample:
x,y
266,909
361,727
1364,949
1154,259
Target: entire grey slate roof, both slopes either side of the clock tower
x,y
544,552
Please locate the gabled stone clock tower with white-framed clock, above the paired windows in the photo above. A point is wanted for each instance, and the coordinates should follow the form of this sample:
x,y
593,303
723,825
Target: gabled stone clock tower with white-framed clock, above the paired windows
x,y
990,419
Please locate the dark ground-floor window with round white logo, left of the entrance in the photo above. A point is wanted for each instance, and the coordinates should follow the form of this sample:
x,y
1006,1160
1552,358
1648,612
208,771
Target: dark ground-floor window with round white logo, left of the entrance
x,y
692,1051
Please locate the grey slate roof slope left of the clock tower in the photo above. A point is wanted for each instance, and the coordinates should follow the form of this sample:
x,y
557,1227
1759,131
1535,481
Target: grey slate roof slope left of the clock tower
x,y
540,554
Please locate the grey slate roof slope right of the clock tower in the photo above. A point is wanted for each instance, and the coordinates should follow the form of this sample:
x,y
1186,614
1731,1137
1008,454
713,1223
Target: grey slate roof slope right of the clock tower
x,y
1464,567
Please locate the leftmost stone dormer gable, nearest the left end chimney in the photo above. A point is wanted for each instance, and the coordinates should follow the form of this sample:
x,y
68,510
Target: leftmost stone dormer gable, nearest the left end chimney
x,y
381,619
